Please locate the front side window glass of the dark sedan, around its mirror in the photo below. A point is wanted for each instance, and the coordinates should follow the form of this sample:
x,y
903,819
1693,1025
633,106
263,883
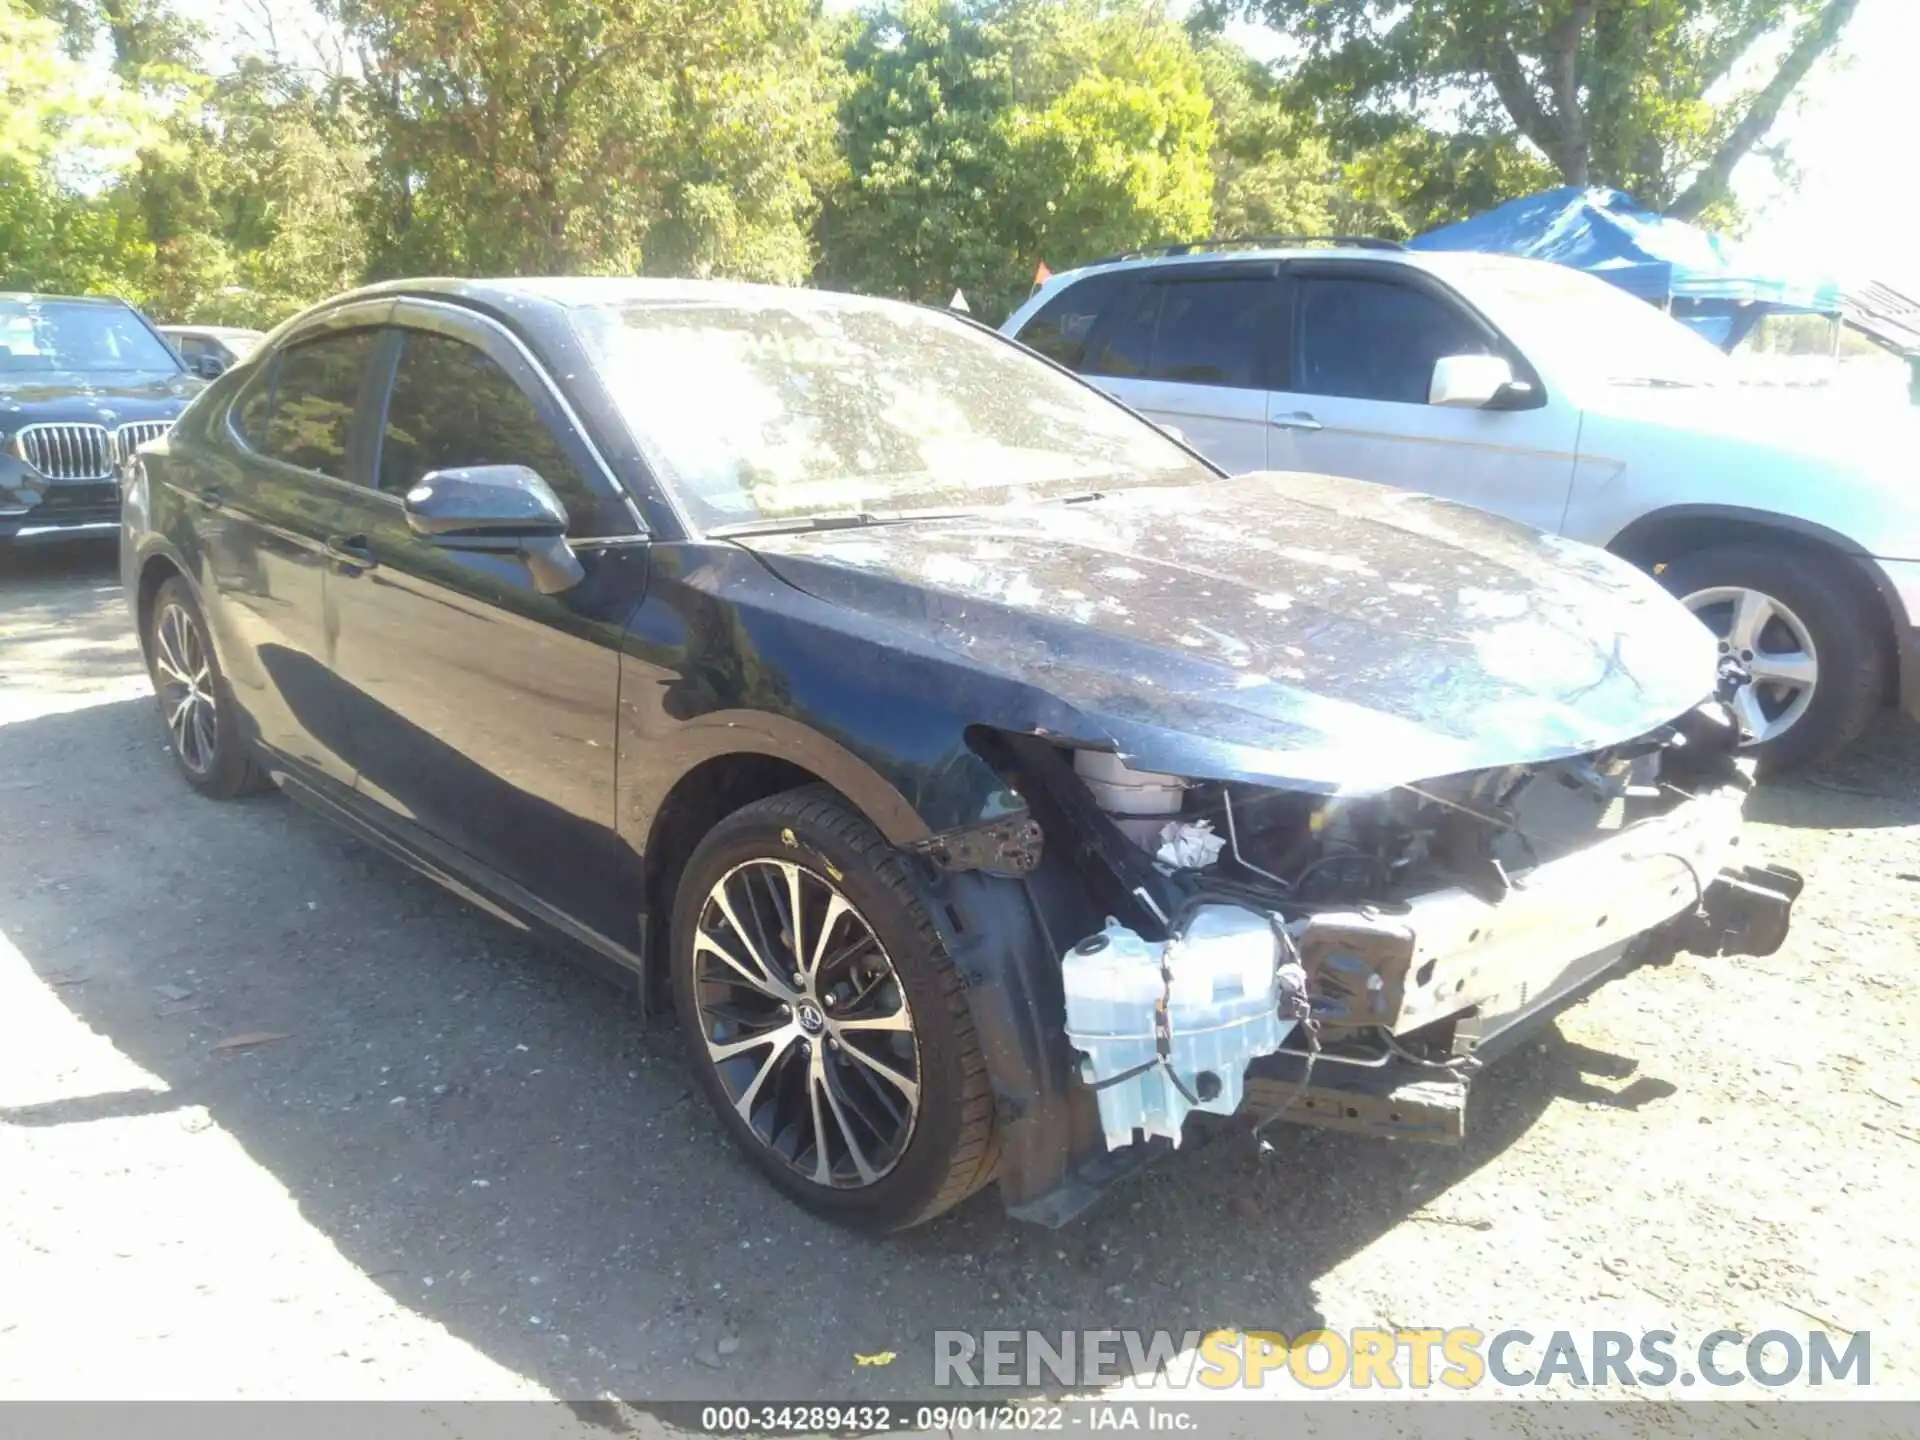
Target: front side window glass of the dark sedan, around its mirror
x,y
452,406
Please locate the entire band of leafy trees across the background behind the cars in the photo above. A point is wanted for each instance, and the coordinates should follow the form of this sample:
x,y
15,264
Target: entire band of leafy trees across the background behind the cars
x,y
913,149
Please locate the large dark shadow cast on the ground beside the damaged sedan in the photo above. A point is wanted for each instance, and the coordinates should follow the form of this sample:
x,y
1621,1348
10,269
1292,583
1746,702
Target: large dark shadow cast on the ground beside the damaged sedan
x,y
502,1143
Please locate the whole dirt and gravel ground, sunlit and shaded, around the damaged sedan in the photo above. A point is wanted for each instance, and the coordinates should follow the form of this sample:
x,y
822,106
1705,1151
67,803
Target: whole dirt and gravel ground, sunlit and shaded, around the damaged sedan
x,y
464,1168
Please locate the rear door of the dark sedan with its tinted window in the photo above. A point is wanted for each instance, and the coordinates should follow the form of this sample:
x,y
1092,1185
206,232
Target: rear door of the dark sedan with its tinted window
x,y
266,502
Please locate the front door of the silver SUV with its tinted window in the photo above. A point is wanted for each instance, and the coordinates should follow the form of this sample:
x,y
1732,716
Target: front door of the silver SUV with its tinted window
x,y
1353,396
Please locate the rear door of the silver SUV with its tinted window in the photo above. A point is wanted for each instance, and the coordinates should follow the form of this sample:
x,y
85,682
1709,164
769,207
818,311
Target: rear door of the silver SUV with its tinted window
x,y
1189,347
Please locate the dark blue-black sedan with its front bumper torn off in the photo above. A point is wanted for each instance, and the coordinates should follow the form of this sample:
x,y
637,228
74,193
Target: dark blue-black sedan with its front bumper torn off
x,y
984,780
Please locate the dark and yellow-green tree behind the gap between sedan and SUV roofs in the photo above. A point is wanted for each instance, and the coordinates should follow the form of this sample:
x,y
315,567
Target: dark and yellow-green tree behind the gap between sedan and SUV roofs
x,y
988,137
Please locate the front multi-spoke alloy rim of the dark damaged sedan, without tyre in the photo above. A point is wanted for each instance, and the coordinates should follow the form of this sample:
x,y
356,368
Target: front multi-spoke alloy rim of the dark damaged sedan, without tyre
x,y
805,1022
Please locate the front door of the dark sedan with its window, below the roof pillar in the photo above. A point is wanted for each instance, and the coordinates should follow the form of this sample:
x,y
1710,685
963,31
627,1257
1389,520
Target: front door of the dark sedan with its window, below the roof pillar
x,y
485,713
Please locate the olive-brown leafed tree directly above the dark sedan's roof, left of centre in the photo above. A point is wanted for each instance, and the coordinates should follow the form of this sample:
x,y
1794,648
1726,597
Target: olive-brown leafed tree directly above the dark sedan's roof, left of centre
x,y
592,135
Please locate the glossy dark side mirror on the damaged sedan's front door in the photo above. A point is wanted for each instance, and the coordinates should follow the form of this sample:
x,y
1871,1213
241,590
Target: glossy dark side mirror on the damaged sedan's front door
x,y
502,510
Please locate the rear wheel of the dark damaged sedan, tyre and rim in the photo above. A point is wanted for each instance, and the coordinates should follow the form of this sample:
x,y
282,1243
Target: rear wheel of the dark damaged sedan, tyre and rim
x,y
204,727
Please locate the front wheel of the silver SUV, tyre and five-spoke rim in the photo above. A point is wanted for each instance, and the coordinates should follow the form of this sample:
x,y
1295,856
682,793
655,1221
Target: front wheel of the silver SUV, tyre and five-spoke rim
x,y
1790,613
